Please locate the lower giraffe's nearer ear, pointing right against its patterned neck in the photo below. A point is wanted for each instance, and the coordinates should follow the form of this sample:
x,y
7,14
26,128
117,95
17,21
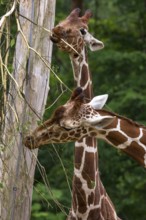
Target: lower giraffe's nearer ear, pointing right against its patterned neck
x,y
100,122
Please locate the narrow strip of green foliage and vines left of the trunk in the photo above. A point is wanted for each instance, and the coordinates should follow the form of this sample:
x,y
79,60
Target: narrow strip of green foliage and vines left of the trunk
x,y
7,43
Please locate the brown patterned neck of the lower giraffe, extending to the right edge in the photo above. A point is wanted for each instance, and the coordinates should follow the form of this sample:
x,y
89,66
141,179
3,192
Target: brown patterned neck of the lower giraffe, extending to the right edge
x,y
126,135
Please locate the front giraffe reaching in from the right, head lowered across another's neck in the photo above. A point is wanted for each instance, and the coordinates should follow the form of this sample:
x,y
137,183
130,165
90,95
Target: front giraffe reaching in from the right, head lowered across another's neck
x,y
77,119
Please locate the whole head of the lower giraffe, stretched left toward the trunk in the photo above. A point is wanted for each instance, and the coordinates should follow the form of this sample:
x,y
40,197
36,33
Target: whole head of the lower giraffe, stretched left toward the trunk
x,y
71,121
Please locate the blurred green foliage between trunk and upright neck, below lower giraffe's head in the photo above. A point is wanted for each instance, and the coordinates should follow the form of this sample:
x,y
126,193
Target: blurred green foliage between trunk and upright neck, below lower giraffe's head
x,y
54,196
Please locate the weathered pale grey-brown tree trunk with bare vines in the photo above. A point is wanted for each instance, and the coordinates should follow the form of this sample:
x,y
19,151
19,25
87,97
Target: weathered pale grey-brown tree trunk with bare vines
x,y
25,108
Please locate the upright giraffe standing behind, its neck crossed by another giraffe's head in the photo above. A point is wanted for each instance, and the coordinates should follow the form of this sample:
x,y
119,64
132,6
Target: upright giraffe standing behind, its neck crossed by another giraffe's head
x,y
74,31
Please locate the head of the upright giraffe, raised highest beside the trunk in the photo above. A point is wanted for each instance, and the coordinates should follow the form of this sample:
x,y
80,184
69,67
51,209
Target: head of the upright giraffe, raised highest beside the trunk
x,y
72,34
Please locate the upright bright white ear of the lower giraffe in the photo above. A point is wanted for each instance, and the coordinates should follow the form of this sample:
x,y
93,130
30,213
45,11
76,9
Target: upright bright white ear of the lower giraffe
x,y
98,101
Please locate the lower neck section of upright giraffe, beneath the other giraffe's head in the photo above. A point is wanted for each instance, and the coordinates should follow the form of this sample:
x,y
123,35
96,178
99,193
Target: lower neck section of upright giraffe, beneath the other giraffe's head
x,y
90,200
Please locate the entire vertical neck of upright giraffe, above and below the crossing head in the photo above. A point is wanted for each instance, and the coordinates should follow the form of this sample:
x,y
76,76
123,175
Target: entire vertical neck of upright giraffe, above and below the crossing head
x,y
89,195
